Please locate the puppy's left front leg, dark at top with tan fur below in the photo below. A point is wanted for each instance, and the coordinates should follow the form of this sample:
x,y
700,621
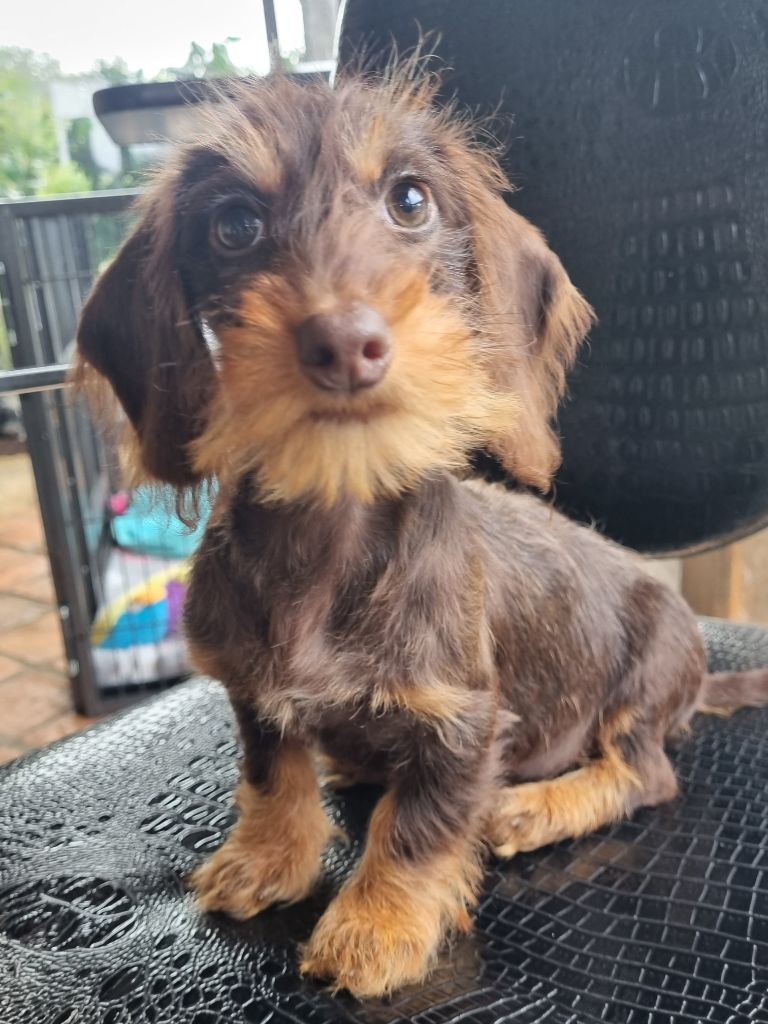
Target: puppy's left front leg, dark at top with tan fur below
x,y
274,852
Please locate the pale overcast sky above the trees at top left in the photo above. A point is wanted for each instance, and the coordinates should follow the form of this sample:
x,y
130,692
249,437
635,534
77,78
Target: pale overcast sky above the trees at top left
x,y
148,34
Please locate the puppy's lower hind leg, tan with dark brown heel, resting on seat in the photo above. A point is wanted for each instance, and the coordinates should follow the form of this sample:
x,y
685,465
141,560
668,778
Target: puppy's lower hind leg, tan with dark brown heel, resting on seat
x,y
630,772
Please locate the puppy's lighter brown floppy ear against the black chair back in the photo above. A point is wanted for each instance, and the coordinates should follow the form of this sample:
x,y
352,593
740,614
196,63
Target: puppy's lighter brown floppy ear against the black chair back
x,y
537,321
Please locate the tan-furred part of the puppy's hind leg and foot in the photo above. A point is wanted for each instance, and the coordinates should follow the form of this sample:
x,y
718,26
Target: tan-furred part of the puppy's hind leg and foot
x,y
535,815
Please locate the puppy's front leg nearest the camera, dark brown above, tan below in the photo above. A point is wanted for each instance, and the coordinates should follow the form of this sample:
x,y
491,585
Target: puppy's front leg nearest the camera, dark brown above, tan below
x,y
418,876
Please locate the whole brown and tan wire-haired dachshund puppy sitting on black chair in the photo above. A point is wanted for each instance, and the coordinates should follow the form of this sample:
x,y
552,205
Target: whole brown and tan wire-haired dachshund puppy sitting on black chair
x,y
326,306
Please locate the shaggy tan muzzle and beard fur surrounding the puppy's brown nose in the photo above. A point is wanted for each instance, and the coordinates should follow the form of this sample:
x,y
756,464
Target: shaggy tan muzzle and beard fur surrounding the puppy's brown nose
x,y
435,404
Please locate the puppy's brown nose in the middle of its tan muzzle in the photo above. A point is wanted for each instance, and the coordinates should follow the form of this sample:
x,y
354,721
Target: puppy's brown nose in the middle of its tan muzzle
x,y
345,351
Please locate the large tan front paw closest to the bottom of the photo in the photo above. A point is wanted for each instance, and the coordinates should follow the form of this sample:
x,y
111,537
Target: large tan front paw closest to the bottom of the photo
x,y
370,947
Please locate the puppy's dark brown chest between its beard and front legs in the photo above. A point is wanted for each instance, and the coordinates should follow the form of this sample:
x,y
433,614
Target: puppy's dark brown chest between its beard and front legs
x,y
356,625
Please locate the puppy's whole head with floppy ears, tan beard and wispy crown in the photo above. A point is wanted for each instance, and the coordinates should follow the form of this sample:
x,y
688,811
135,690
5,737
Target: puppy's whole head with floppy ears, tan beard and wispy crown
x,y
329,291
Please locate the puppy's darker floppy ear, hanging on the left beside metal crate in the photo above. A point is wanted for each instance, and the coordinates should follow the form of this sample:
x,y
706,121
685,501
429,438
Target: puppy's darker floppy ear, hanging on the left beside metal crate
x,y
137,331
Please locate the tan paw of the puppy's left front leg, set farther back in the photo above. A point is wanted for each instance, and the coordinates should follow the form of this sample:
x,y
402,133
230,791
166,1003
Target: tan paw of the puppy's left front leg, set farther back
x,y
242,879
